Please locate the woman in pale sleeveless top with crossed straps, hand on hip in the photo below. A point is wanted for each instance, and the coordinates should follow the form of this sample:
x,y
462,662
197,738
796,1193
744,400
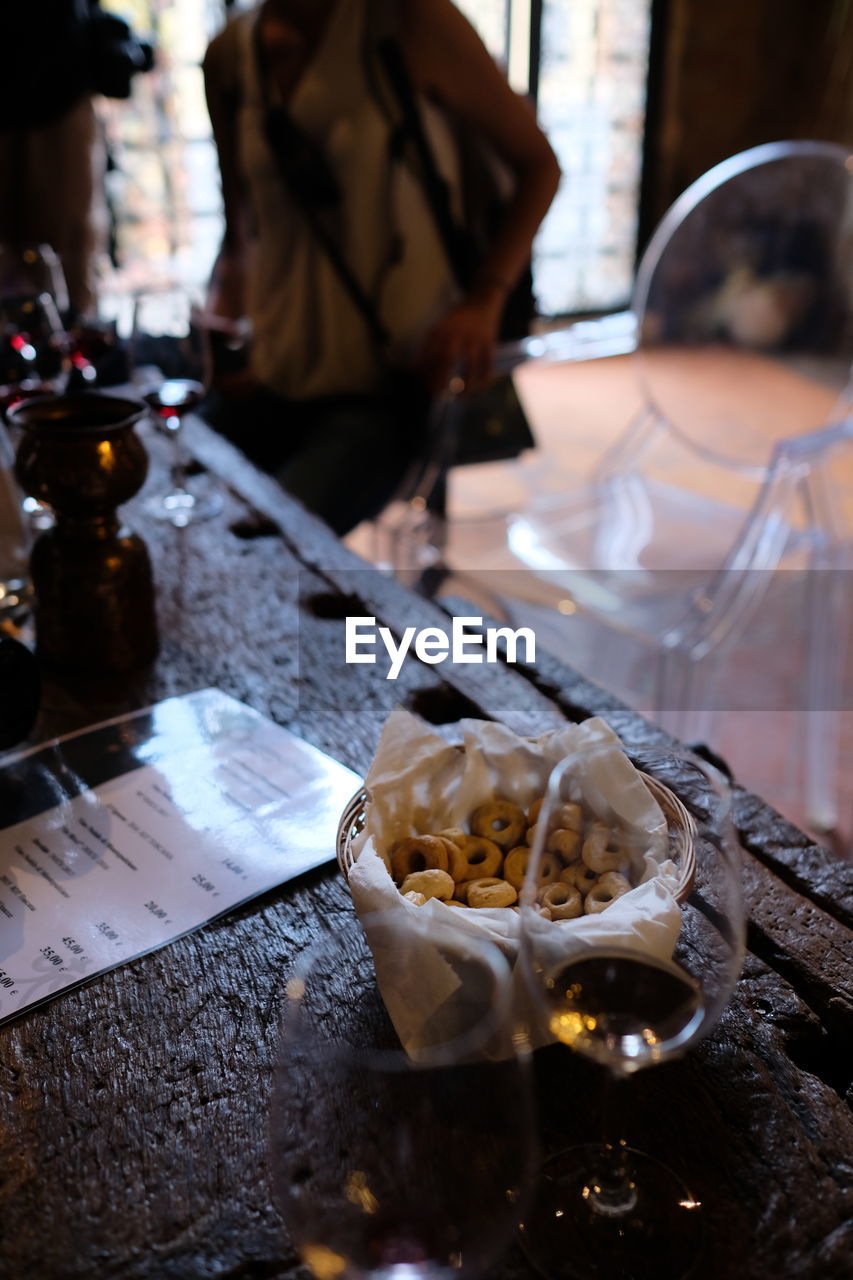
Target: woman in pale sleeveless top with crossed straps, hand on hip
x,y
334,248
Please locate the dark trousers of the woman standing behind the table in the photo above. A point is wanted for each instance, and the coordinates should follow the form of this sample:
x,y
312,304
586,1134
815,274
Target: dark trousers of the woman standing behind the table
x,y
343,456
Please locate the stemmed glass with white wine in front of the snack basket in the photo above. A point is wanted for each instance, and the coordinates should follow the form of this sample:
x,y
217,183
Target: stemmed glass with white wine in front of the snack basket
x,y
638,971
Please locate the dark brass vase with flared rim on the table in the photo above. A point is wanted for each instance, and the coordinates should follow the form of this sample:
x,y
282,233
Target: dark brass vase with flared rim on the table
x,y
80,454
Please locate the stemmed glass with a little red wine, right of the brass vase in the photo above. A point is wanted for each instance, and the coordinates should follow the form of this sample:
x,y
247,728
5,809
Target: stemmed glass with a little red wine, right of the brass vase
x,y
170,373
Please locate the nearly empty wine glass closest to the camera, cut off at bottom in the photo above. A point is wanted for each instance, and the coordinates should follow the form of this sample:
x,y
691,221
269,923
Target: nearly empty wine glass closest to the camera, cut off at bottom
x,y
391,1163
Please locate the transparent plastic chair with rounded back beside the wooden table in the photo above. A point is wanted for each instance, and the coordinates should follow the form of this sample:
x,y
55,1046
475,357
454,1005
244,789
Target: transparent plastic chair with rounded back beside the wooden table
x,y
731,492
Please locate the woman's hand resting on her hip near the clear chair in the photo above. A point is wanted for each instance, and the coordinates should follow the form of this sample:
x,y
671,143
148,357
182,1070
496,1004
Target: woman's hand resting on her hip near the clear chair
x,y
462,345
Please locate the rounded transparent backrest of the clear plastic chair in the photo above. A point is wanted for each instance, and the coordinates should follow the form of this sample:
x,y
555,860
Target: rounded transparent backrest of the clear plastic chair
x,y
745,303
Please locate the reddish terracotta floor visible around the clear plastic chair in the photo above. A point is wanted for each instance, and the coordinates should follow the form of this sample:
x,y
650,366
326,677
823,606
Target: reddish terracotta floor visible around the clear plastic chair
x,y
577,412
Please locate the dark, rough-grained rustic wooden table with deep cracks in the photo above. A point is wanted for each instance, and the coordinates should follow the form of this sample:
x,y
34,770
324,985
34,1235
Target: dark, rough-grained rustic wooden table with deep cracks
x,y
134,1110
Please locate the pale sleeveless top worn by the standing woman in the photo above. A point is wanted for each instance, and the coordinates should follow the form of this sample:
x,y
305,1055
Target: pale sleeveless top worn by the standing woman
x,y
308,336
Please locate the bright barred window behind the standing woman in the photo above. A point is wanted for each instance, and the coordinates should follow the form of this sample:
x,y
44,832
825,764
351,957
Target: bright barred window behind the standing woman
x,y
590,68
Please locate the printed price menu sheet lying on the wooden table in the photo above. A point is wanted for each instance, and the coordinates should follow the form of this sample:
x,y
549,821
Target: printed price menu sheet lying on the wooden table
x,y
118,840
